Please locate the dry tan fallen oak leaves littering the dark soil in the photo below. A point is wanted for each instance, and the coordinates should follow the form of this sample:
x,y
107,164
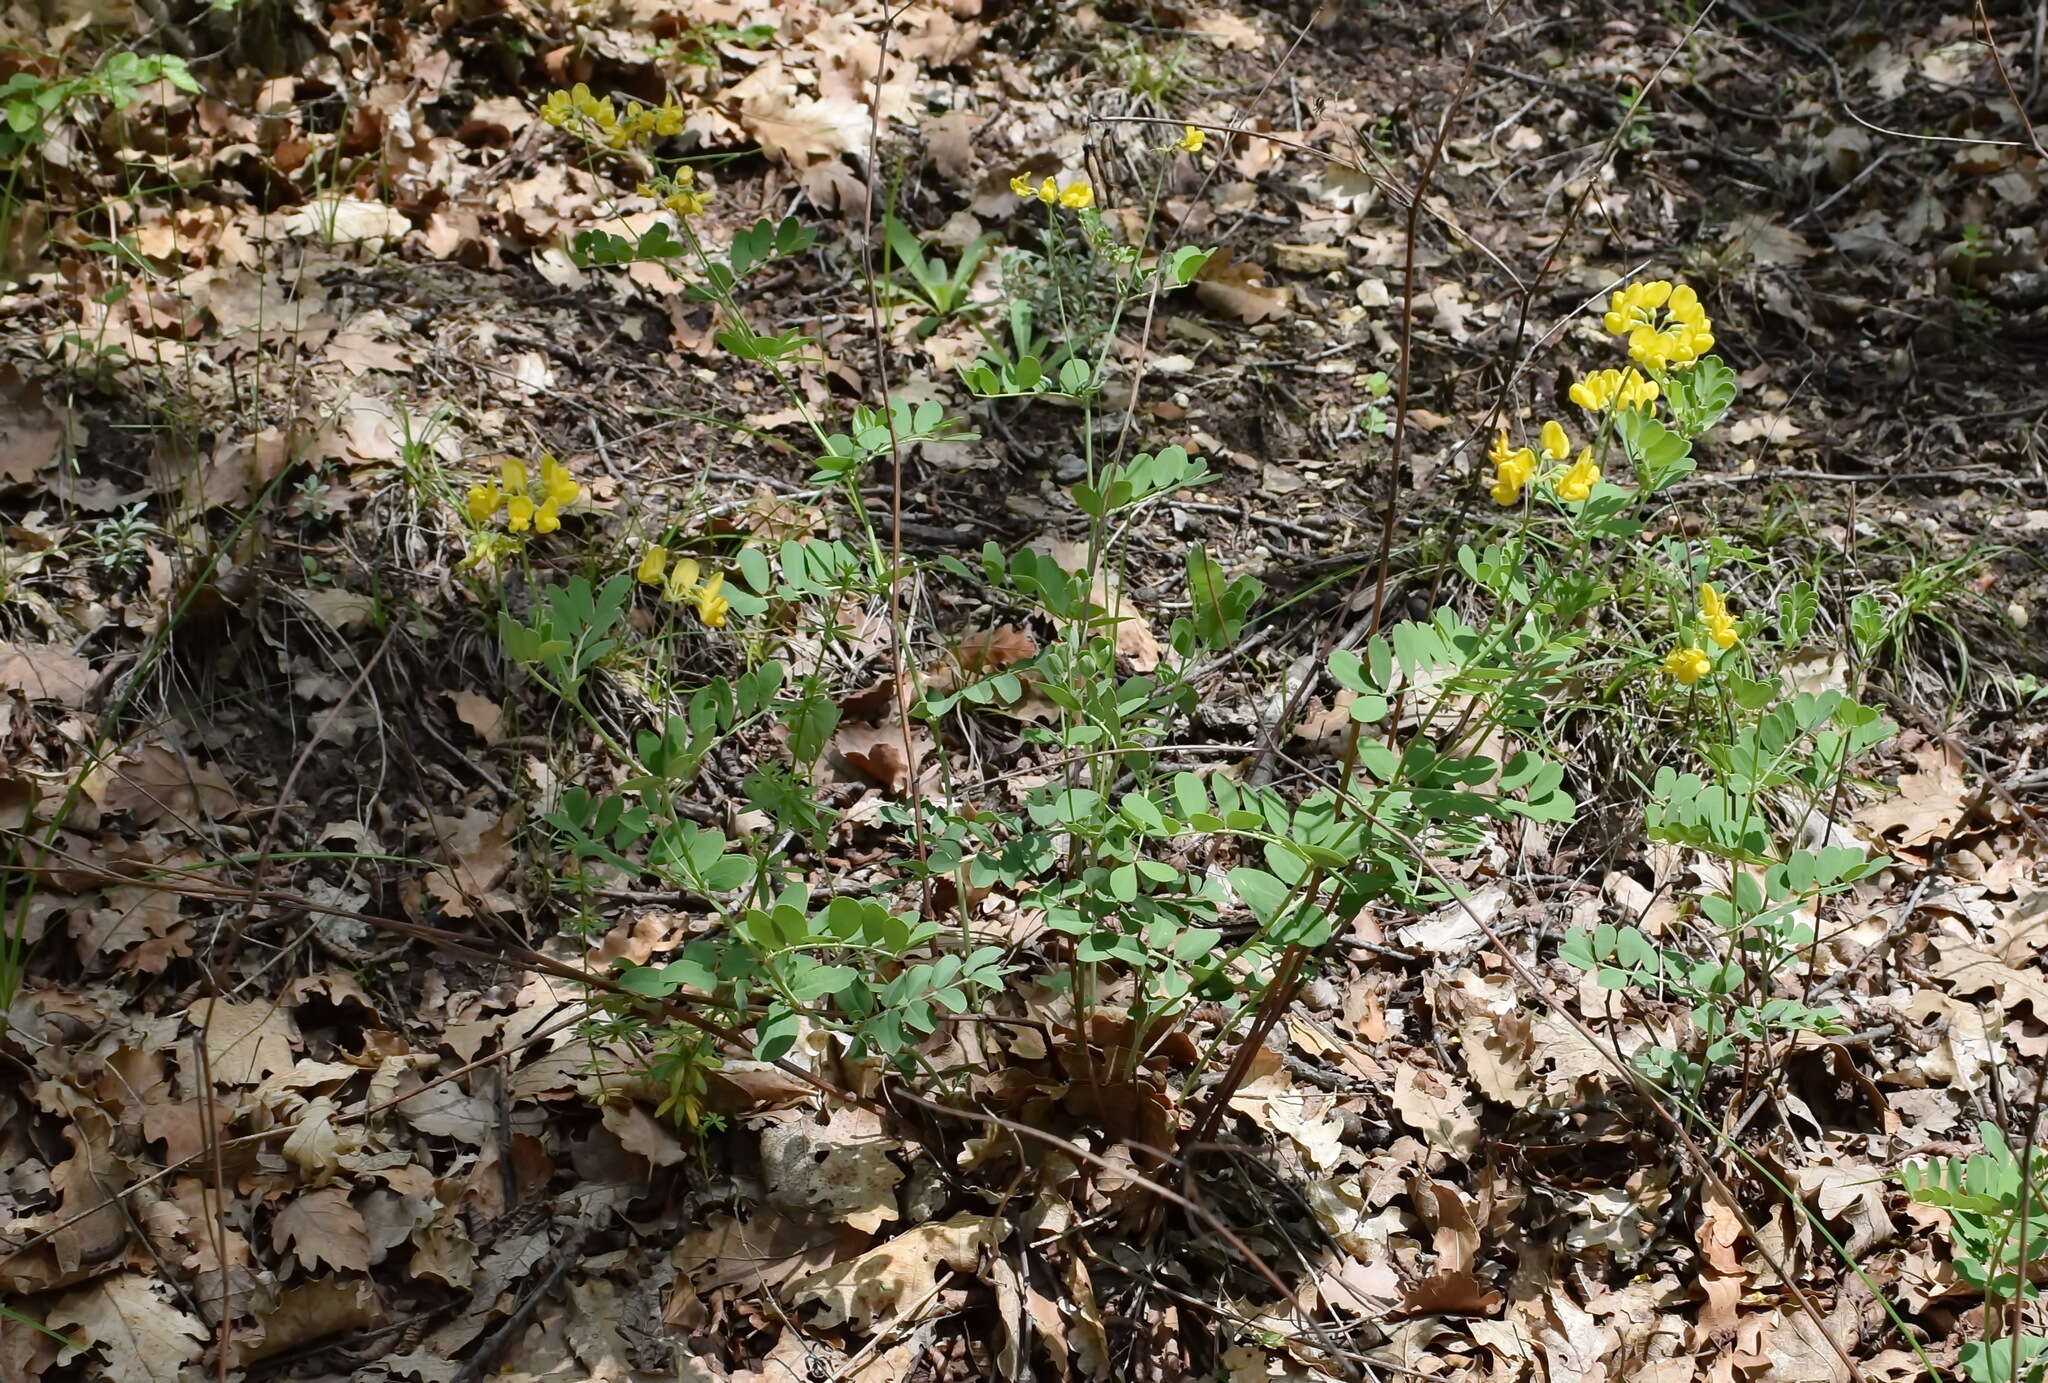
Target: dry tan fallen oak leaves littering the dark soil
x,y
335,1144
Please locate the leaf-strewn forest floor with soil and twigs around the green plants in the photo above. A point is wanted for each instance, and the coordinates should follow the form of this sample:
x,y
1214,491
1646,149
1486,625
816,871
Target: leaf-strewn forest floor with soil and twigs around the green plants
x,y
261,335
